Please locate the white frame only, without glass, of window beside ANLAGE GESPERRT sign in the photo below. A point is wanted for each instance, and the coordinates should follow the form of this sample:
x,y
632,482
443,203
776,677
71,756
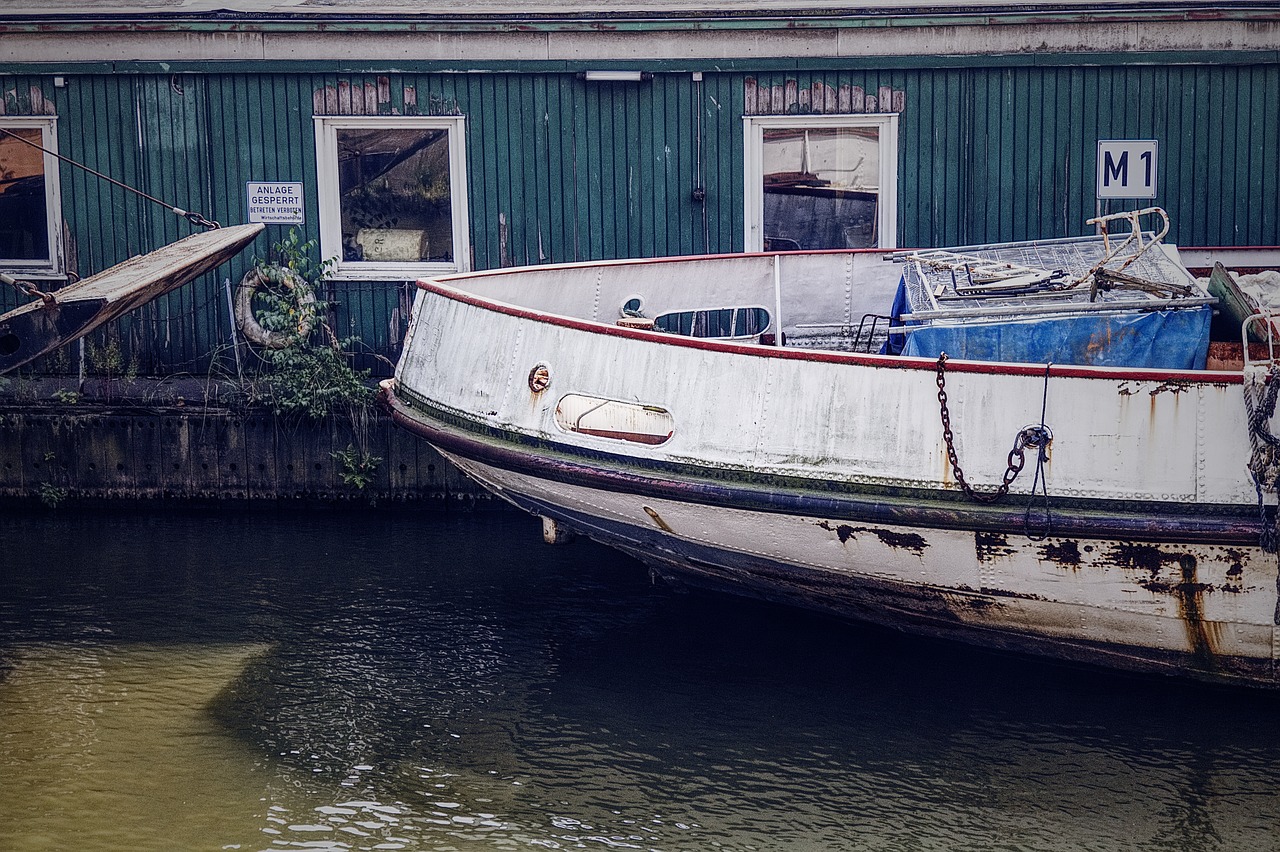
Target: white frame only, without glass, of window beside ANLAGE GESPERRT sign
x,y
331,214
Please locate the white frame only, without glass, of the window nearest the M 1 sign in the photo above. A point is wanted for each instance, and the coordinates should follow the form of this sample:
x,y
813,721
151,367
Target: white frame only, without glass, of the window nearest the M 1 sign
x,y
753,135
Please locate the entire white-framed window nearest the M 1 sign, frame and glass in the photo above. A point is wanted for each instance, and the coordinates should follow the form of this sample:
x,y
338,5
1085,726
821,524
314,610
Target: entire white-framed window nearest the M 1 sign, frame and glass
x,y
821,182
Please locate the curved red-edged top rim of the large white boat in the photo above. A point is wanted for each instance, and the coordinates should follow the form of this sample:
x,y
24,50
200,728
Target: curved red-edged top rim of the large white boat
x,y
445,287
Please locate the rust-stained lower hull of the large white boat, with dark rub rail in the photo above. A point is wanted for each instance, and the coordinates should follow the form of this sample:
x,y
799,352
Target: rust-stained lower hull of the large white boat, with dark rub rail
x,y
1173,604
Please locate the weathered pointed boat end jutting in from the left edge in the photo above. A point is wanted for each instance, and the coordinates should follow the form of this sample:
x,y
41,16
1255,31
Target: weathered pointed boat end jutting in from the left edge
x,y
56,319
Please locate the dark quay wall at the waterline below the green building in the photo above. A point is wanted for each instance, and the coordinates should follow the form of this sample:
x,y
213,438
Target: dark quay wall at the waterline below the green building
x,y
90,451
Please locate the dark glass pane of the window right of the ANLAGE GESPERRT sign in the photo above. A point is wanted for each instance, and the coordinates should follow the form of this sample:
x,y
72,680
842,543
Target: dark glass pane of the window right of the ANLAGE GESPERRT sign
x,y
395,195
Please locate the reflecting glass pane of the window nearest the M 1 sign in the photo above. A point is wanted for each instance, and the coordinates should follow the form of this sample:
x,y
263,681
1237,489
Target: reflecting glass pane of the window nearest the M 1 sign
x,y
821,187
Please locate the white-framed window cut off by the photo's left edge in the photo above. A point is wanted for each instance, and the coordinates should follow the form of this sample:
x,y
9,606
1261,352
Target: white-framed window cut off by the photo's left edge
x,y
30,209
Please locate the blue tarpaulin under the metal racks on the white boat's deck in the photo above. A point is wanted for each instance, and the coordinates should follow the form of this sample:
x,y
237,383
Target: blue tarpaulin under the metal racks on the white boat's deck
x,y
1158,340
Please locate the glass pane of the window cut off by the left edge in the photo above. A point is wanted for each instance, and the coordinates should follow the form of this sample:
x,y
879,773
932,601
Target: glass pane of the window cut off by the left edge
x,y
24,200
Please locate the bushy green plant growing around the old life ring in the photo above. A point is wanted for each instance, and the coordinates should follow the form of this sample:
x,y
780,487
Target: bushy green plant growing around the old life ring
x,y
312,373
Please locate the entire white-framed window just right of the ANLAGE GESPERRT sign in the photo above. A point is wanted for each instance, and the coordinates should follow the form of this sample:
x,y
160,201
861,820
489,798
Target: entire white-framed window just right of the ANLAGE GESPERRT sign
x,y
394,196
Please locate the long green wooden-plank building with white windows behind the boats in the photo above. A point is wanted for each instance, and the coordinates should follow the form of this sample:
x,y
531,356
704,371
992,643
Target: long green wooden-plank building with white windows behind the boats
x,y
413,138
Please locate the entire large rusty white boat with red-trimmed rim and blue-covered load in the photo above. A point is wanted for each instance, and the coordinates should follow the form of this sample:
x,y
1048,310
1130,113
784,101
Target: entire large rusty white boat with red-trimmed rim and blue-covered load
x,y
1071,482
